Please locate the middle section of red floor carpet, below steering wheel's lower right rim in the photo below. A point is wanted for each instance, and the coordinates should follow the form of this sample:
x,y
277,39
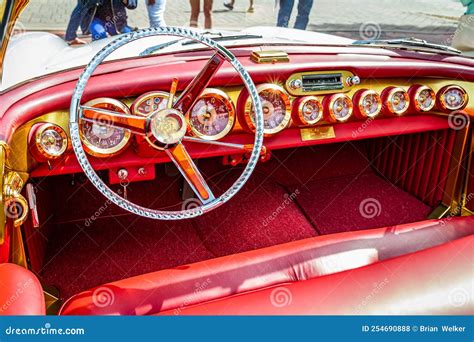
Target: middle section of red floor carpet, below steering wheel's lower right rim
x,y
262,214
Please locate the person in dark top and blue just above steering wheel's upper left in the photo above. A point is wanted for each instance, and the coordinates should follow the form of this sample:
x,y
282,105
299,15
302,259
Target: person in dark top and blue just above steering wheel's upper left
x,y
109,17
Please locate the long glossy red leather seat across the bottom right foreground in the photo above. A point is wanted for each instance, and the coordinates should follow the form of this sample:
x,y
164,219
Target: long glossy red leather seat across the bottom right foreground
x,y
325,274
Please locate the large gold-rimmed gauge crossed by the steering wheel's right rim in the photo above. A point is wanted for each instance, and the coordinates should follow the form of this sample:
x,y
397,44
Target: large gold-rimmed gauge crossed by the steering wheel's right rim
x,y
276,107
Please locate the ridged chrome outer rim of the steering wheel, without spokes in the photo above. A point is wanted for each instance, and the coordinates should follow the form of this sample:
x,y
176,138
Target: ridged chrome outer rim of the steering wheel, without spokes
x,y
87,167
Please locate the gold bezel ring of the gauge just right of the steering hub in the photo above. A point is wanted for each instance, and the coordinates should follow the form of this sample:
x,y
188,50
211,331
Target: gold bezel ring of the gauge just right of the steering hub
x,y
221,96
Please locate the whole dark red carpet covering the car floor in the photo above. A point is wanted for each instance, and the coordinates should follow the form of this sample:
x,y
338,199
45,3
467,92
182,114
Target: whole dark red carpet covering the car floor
x,y
297,194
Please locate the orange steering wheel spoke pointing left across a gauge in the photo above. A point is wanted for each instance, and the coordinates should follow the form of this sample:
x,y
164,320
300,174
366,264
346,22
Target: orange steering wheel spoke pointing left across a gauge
x,y
101,116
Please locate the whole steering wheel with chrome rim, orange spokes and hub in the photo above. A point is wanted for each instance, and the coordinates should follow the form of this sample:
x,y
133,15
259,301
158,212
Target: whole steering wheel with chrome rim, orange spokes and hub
x,y
166,129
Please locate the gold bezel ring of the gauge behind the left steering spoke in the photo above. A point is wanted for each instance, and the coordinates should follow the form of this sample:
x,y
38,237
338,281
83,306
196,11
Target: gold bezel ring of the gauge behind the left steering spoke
x,y
101,152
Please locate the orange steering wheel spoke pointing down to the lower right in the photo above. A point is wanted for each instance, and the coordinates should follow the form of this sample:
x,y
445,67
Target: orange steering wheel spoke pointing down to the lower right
x,y
190,172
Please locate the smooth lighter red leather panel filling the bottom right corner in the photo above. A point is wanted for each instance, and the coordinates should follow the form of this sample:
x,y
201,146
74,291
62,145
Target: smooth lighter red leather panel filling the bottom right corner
x,y
436,281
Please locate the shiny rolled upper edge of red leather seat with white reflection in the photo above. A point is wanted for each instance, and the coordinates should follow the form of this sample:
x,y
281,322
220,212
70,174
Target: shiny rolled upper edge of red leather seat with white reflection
x,y
174,289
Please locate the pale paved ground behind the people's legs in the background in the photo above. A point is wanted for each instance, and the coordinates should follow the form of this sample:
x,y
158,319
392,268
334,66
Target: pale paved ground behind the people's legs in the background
x,y
353,18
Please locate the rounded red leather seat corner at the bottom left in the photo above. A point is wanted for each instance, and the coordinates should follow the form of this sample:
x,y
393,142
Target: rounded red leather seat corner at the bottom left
x,y
20,292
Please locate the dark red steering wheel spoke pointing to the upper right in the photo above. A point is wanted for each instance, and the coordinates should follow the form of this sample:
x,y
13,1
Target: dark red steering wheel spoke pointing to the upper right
x,y
192,92
